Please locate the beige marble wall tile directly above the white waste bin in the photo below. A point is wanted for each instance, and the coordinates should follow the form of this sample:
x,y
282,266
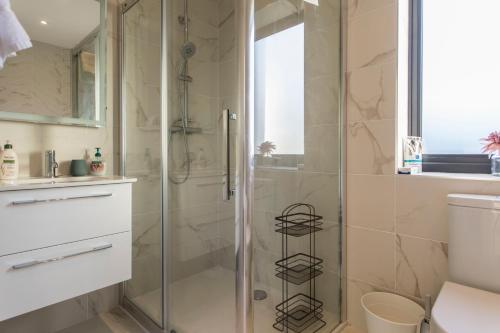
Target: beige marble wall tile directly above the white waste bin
x,y
370,256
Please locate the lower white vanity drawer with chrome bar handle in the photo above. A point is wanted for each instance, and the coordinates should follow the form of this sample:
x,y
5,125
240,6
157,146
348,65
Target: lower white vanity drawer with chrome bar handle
x,y
35,279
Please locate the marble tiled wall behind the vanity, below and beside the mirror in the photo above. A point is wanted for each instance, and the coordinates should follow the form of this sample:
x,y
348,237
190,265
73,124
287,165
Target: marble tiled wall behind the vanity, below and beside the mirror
x,y
30,140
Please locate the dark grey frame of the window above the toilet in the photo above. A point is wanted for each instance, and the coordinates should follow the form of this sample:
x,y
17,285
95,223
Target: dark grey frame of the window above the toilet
x,y
451,163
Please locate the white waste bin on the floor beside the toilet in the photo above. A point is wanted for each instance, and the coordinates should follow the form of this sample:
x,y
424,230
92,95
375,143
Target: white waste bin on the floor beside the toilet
x,y
390,313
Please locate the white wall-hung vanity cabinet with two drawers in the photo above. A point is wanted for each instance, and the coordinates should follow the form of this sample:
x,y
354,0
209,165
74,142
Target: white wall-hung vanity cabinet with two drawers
x,y
59,241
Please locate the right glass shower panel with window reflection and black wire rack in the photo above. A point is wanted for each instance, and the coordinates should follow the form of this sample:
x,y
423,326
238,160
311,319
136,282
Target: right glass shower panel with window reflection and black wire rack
x,y
296,226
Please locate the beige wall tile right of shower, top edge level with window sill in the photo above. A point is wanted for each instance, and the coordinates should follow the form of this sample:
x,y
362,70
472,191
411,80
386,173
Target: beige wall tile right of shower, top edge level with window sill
x,y
371,201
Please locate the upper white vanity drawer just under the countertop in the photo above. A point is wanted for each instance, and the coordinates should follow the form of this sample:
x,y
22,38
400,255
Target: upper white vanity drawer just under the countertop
x,y
35,219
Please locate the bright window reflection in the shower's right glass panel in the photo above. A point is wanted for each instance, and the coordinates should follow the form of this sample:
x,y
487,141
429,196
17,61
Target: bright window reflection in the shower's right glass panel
x,y
279,91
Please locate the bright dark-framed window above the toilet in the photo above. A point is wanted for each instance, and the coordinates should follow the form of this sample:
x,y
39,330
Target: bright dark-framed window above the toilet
x,y
454,81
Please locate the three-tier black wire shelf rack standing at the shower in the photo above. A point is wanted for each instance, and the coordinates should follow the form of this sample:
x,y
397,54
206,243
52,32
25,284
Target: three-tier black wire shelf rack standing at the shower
x,y
301,312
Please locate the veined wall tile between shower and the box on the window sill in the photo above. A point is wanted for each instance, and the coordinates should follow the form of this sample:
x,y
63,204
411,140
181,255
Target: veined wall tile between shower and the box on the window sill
x,y
371,147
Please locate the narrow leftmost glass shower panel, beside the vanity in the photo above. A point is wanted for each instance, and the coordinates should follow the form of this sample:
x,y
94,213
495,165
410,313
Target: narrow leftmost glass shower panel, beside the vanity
x,y
142,151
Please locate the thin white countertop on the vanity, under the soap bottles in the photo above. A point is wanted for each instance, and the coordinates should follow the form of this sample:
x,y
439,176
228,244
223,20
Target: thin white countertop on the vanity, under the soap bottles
x,y
44,183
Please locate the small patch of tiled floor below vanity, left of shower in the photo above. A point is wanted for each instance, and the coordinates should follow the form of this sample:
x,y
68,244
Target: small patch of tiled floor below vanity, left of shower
x,y
114,321
